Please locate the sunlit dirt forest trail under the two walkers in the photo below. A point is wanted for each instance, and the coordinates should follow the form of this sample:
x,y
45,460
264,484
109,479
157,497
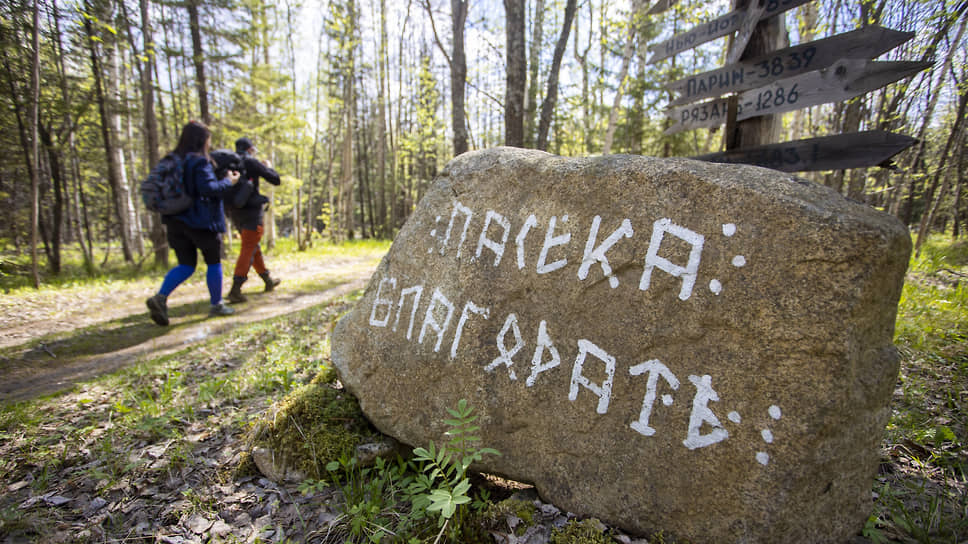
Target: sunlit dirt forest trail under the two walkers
x,y
51,340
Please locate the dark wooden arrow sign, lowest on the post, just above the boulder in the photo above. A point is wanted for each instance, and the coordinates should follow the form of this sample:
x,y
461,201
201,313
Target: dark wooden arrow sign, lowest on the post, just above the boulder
x,y
853,150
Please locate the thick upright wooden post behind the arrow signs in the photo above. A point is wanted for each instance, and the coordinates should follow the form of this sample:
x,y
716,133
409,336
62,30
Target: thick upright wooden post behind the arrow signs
x,y
766,37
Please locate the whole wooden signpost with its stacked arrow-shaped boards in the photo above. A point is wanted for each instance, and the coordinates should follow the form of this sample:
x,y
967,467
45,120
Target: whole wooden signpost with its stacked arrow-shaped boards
x,y
832,69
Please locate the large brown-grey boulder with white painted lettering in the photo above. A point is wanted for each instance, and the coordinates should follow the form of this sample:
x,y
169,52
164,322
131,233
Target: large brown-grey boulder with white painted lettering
x,y
663,344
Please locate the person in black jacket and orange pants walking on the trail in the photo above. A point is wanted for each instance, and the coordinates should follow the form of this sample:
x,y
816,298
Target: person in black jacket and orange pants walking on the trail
x,y
247,210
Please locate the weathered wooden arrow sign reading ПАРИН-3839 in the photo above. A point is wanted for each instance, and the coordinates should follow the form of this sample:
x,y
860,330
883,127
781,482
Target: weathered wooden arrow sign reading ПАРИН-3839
x,y
865,43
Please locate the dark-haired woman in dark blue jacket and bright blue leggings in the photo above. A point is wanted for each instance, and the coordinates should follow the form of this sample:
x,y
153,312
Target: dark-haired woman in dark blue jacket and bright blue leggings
x,y
199,228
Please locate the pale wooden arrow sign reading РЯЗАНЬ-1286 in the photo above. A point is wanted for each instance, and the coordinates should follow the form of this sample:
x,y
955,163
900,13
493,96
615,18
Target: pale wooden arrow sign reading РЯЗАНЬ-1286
x,y
842,81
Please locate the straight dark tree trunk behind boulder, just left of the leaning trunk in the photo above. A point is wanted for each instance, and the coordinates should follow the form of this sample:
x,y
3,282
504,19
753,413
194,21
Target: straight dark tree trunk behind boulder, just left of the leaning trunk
x,y
516,74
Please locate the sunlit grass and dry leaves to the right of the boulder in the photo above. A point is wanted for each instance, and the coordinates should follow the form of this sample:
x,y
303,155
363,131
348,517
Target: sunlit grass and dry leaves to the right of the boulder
x,y
921,494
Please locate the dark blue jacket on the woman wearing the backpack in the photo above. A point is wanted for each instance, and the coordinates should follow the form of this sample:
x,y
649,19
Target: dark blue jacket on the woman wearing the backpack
x,y
206,211
